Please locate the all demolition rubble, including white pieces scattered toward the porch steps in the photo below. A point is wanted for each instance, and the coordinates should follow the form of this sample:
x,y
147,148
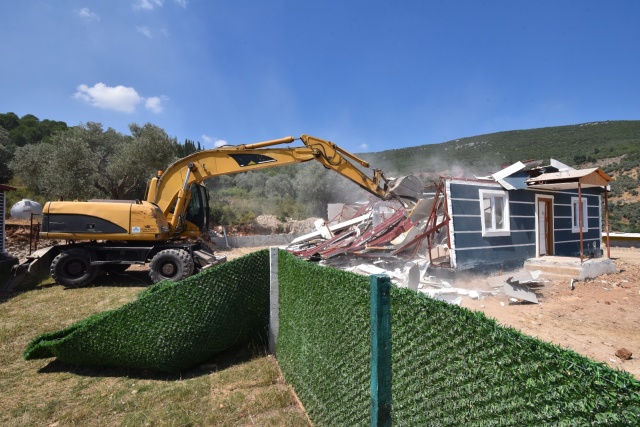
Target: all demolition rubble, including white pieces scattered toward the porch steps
x,y
386,237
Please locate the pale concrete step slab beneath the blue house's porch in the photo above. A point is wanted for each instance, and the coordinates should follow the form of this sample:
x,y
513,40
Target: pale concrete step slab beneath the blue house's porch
x,y
556,267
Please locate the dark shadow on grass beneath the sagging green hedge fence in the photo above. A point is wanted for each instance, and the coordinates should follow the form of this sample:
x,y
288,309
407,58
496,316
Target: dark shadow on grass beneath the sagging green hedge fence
x,y
233,356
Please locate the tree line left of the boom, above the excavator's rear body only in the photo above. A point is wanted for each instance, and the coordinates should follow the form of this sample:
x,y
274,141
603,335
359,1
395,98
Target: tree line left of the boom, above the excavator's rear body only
x,y
53,161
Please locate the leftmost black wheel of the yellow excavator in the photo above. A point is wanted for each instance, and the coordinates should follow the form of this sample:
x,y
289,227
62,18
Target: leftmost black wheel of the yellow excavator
x,y
73,268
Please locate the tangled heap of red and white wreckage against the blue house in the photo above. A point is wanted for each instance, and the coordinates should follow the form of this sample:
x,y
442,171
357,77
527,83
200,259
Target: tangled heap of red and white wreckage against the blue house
x,y
380,237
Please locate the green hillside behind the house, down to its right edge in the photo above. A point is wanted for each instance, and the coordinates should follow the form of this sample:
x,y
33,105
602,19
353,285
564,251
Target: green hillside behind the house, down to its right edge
x,y
612,145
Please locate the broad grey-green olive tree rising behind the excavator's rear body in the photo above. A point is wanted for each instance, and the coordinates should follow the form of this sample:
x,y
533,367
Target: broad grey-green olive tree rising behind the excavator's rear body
x,y
86,162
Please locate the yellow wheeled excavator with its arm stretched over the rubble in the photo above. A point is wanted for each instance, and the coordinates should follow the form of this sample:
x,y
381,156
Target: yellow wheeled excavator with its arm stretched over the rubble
x,y
111,235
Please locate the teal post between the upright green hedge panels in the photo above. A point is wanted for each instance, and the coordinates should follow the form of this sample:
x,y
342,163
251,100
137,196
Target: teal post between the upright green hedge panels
x,y
380,351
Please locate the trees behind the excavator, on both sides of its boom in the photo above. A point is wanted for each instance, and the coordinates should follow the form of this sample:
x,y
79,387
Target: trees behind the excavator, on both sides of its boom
x,y
49,160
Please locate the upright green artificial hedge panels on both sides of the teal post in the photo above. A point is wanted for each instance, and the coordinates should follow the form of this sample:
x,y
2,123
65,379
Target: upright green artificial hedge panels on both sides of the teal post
x,y
451,366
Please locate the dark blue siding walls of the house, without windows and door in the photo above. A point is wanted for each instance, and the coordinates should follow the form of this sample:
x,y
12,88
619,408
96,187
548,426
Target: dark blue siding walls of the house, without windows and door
x,y
478,252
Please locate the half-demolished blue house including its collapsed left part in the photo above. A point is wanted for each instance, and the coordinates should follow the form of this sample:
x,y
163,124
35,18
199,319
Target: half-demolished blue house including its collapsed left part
x,y
529,210
